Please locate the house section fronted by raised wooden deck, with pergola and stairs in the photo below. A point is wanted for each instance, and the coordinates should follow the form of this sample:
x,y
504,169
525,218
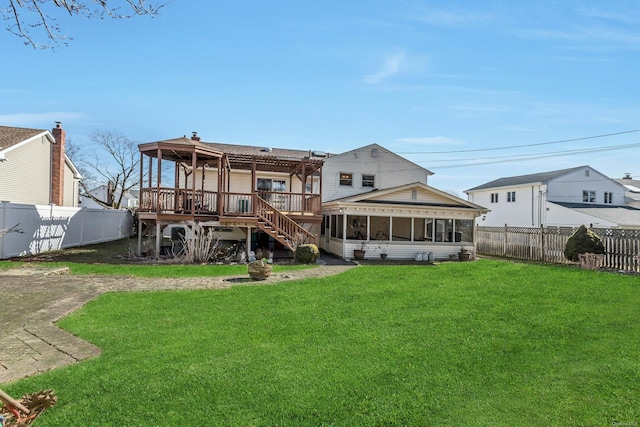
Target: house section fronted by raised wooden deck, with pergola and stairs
x,y
268,197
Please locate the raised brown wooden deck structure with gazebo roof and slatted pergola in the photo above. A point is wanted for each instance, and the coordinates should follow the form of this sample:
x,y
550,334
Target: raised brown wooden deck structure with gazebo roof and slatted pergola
x,y
188,200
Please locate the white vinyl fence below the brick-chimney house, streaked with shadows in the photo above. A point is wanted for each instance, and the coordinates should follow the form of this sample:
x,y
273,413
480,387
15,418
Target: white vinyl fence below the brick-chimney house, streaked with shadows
x,y
42,228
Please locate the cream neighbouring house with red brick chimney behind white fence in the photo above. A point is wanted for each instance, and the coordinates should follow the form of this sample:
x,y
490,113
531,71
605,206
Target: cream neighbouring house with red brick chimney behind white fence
x,y
34,168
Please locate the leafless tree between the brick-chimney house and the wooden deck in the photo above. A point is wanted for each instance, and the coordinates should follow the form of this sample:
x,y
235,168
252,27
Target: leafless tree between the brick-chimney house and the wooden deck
x,y
120,169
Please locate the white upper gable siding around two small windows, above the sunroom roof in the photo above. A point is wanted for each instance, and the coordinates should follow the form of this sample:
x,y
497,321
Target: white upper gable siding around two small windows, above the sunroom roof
x,y
388,169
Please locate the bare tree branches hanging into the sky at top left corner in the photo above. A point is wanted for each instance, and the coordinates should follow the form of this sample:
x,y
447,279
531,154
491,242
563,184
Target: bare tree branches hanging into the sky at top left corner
x,y
26,17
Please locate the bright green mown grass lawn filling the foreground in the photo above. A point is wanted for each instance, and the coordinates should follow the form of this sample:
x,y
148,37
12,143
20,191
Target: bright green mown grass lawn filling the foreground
x,y
469,344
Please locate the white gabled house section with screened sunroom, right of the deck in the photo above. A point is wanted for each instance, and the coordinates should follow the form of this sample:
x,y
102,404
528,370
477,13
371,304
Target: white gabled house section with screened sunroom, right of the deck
x,y
375,200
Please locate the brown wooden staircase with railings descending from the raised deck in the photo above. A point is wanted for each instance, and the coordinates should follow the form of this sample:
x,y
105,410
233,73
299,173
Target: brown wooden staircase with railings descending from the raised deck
x,y
280,226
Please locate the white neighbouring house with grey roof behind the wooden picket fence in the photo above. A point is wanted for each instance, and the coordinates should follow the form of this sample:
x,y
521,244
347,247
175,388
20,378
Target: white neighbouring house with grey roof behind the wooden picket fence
x,y
567,197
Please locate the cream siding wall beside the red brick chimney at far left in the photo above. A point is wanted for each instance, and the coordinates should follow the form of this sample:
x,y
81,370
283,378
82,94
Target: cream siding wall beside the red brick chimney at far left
x,y
25,175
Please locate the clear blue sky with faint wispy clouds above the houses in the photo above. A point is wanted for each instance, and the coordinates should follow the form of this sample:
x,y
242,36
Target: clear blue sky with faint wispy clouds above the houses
x,y
430,80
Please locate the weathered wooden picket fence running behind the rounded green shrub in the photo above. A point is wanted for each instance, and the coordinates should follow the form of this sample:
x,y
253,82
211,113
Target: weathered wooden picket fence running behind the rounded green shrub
x,y
546,244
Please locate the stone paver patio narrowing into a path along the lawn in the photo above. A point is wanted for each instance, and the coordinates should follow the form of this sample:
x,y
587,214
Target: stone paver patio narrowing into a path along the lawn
x,y
34,299
